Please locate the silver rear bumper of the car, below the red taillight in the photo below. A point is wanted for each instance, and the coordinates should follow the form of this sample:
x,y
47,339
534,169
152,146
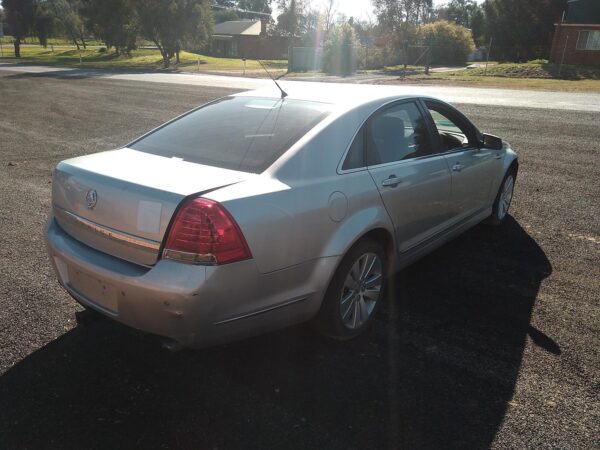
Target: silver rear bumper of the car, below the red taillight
x,y
193,305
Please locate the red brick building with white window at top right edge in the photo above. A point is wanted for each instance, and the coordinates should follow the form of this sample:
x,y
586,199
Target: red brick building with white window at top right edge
x,y
577,36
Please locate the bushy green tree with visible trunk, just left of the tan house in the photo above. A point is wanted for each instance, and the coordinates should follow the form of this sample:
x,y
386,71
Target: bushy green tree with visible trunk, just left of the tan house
x,y
172,23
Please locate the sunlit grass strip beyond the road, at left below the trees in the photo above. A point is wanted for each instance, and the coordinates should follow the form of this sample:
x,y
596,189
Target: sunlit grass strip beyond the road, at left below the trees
x,y
141,59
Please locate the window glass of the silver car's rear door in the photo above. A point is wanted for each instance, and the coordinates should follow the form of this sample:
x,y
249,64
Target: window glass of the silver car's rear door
x,y
397,133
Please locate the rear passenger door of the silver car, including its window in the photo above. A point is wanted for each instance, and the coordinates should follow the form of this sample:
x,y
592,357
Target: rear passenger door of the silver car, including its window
x,y
414,183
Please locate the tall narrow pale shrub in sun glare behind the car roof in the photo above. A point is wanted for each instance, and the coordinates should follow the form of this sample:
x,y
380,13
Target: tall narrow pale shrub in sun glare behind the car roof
x,y
340,51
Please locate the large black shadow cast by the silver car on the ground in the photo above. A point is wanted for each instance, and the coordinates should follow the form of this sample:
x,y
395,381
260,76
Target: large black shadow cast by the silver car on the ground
x,y
437,370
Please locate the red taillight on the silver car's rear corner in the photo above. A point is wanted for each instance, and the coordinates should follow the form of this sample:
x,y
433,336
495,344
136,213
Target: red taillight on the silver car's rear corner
x,y
203,232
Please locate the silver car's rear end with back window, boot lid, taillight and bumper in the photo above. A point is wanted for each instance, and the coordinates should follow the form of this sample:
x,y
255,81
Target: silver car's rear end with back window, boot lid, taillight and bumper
x,y
134,234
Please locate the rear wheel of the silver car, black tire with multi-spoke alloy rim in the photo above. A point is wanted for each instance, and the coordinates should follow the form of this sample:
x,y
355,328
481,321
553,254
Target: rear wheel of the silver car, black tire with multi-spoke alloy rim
x,y
354,294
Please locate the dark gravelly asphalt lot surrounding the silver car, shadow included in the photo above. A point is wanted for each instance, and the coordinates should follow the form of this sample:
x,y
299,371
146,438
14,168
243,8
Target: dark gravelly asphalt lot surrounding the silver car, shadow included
x,y
491,341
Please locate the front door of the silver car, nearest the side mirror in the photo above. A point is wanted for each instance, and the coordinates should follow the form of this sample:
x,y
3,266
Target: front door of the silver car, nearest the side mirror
x,y
473,168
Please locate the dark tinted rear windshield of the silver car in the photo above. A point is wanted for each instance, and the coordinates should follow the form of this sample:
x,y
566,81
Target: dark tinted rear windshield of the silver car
x,y
239,133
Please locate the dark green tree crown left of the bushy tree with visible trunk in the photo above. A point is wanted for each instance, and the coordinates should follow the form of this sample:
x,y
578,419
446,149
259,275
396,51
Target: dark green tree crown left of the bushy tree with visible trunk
x,y
112,21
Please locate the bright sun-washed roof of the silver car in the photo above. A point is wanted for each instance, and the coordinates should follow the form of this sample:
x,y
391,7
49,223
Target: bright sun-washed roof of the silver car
x,y
339,94
